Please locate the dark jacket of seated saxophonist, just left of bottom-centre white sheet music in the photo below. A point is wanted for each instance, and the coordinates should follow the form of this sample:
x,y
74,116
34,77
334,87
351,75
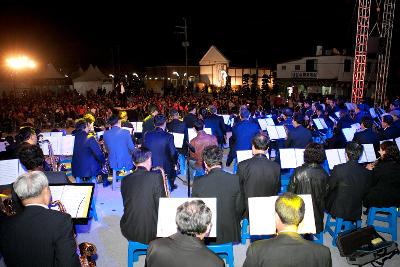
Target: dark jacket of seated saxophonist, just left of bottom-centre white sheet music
x,y
140,192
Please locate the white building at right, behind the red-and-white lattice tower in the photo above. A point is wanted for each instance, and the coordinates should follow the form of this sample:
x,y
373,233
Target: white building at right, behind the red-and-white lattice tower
x,y
324,74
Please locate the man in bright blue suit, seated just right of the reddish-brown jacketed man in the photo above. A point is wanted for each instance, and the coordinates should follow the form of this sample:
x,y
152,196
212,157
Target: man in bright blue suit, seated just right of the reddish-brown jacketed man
x,y
242,134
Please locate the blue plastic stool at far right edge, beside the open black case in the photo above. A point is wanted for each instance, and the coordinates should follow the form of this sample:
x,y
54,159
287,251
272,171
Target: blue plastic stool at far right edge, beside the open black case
x,y
390,218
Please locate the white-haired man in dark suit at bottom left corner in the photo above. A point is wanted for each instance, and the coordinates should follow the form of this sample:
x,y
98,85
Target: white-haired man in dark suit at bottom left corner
x,y
38,236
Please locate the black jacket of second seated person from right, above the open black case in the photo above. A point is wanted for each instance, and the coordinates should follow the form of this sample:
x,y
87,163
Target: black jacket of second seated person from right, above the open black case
x,y
348,184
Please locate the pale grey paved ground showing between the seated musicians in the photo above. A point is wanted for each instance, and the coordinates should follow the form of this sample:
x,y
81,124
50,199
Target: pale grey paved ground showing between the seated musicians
x,y
112,246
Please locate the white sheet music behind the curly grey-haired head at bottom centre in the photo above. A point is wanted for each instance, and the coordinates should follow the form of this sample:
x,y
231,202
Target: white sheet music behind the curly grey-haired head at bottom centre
x,y
166,225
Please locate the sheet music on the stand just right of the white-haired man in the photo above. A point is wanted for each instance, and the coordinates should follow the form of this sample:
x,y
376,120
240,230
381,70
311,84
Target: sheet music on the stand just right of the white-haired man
x,y
75,198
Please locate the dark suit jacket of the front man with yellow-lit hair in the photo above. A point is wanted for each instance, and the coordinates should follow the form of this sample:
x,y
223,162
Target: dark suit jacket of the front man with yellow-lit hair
x,y
288,249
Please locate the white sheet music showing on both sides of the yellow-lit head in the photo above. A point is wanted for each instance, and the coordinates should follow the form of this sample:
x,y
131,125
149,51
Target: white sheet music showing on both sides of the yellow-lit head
x,y
262,216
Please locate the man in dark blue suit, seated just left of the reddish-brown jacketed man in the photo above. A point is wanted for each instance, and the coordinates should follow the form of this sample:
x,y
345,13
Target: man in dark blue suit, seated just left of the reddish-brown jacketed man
x,y
161,144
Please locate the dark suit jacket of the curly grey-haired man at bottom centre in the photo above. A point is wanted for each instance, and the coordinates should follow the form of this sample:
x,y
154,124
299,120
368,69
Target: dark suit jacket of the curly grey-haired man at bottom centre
x,y
180,250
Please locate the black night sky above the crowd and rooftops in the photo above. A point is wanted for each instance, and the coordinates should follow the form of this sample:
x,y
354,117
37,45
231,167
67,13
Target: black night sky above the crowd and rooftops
x,y
70,34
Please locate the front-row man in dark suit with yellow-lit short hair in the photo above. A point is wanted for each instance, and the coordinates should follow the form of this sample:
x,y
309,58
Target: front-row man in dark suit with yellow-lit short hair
x,y
288,248
